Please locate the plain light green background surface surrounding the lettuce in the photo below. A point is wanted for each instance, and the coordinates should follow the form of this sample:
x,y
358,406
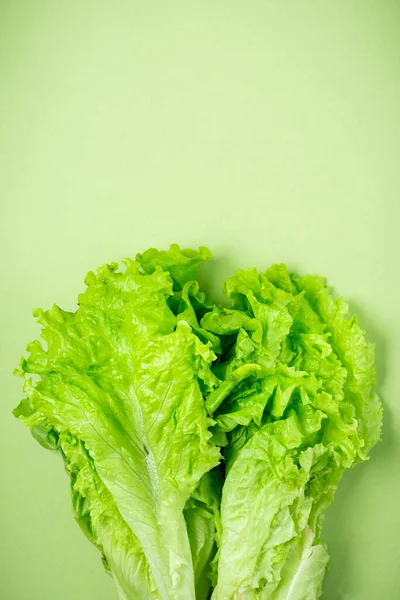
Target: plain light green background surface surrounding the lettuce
x,y
269,131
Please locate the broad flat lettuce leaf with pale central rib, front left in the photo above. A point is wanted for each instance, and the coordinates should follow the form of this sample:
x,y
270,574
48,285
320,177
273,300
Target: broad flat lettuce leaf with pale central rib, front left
x,y
122,376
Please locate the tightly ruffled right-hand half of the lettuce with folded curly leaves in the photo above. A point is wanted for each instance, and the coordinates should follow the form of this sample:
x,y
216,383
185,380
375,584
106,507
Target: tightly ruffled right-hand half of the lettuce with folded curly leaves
x,y
293,426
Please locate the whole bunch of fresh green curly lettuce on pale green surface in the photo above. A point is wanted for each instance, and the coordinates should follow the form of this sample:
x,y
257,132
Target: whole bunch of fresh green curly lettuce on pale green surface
x,y
203,442
